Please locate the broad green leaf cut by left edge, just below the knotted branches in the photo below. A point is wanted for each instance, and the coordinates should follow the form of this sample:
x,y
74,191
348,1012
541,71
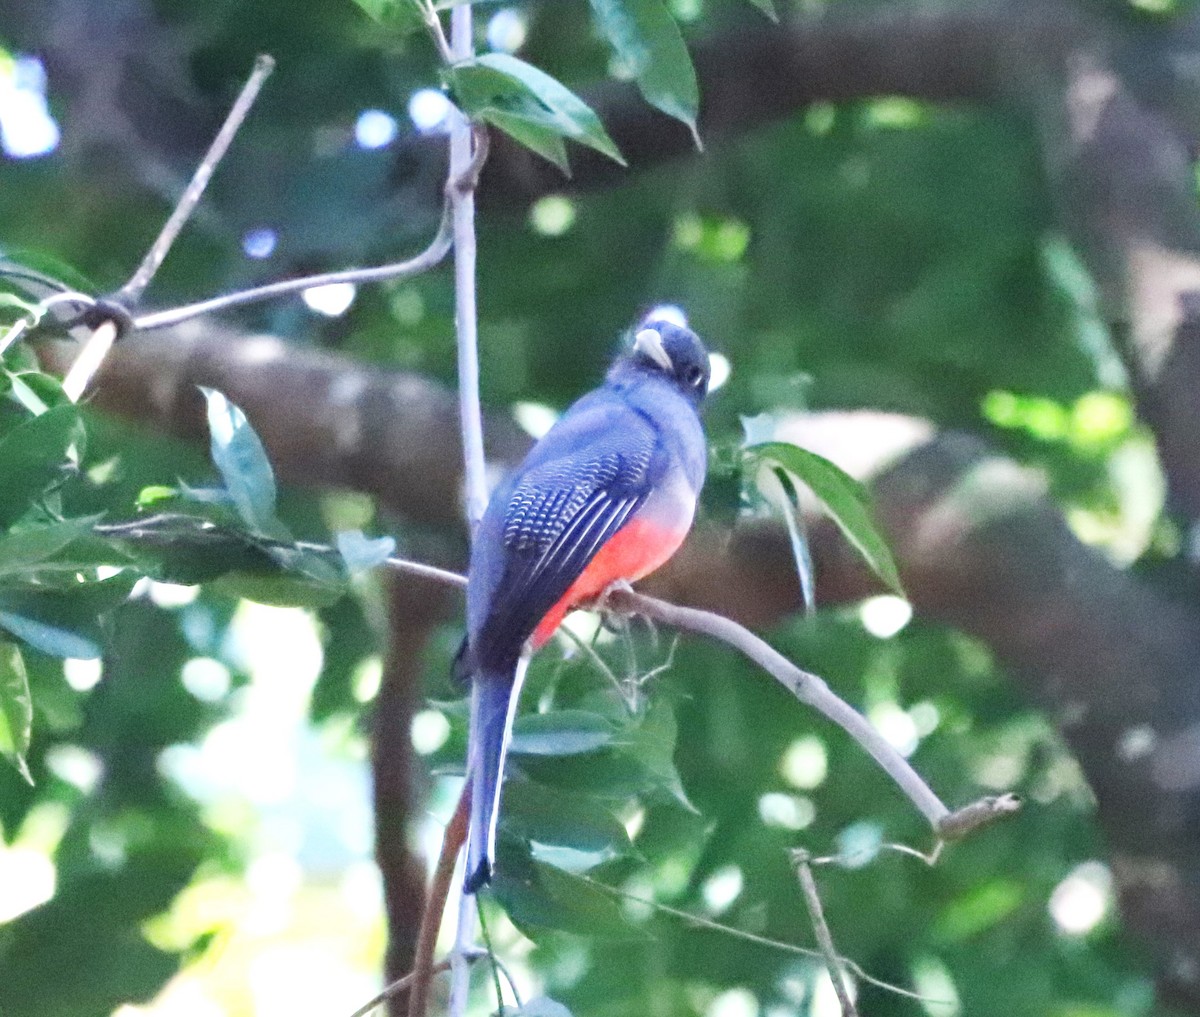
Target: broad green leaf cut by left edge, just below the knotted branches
x,y
34,456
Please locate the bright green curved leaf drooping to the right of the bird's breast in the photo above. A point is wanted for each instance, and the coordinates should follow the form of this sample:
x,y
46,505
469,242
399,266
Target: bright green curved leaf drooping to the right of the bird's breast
x,y
844,497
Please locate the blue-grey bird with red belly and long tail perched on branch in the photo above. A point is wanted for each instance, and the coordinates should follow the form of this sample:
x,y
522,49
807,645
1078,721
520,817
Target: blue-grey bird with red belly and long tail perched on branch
x,y
608,495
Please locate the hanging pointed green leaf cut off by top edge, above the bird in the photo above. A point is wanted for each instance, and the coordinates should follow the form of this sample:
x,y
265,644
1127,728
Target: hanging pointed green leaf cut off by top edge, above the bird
x,y
649,41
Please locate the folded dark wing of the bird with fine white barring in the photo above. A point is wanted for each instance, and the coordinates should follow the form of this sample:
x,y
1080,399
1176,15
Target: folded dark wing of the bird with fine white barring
x,y
557,517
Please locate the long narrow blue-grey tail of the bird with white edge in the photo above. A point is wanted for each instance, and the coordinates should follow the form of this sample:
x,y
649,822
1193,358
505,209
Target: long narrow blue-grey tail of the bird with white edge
x,y
494,702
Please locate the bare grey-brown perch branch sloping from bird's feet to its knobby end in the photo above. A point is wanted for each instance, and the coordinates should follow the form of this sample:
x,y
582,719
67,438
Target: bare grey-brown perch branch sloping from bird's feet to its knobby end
x,y
803,685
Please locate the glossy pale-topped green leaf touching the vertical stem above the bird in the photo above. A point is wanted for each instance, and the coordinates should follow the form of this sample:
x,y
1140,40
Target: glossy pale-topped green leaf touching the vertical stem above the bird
x,y
529,104
